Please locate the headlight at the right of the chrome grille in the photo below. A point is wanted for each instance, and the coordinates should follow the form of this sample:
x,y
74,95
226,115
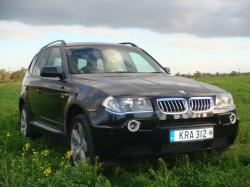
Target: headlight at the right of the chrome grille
x,y
224,101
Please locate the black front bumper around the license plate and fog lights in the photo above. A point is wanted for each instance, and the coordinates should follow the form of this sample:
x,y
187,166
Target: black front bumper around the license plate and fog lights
x,y
153,138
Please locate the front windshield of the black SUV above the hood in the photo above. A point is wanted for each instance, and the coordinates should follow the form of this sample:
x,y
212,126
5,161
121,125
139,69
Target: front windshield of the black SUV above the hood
x,y
110,59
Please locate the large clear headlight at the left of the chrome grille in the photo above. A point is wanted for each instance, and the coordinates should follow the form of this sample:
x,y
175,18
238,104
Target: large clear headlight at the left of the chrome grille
x,y
123,105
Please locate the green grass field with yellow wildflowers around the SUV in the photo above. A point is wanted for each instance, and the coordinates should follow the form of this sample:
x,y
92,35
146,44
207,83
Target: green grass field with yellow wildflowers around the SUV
x,y
25,162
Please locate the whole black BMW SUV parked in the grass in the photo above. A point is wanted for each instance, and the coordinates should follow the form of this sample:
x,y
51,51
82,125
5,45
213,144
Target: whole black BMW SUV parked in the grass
x,y
116,99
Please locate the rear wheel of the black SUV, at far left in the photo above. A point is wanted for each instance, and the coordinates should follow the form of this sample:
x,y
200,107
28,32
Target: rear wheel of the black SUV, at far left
x,y
25,127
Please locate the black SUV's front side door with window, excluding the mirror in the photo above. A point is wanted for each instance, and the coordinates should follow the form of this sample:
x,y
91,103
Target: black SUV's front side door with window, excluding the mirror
x,y
54,94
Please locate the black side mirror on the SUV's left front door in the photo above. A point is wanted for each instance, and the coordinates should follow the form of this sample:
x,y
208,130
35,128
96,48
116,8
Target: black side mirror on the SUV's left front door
x,y
51,71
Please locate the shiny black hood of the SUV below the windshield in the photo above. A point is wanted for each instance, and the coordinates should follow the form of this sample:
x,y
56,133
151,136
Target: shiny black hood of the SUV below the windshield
x,y
146,84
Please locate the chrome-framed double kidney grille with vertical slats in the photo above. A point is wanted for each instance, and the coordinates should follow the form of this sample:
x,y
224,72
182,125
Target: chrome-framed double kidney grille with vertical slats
x,y
180,105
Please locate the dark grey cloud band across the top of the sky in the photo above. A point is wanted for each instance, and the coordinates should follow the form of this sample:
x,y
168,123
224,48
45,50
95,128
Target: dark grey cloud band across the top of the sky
x,y
213,18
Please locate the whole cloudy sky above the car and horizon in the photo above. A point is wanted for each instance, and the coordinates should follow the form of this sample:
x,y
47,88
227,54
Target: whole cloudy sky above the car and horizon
x,y
185,35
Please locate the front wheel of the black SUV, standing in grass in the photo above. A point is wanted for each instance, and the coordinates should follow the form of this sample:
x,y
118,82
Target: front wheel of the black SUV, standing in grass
x,y
80,141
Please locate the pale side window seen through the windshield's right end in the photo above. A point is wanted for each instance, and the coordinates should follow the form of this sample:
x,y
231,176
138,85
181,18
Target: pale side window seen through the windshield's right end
x,y
140,63
